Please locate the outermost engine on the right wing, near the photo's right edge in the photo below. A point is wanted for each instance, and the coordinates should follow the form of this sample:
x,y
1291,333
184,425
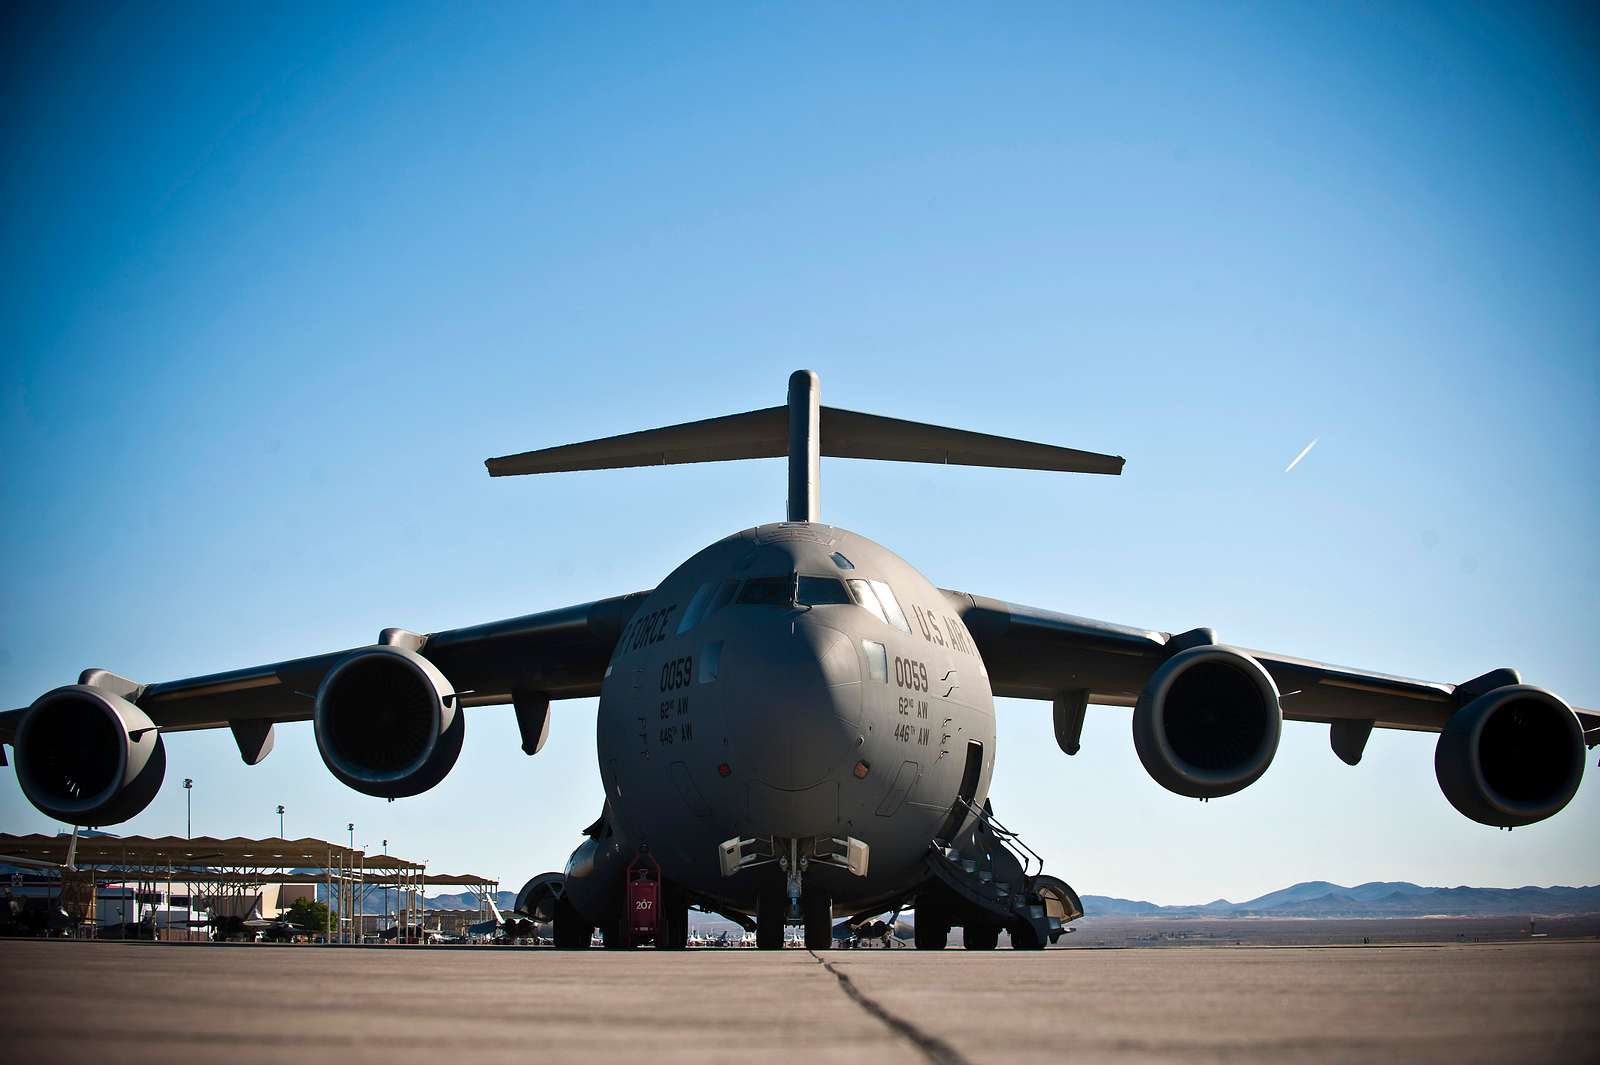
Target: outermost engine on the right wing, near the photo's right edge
x,y
1511,757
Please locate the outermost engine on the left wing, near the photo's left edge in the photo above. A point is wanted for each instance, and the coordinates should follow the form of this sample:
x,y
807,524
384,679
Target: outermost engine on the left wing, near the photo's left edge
x,y
89,757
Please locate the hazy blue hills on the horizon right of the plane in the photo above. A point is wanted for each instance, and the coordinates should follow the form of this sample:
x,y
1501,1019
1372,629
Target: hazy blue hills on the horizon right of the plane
x,y
1378,899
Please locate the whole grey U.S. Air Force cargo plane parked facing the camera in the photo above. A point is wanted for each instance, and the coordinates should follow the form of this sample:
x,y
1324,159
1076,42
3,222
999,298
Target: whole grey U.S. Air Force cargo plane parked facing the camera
x,y
796,725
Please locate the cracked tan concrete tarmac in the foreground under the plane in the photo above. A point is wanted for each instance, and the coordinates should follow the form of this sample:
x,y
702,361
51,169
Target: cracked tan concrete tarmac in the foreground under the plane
x,y
108,1003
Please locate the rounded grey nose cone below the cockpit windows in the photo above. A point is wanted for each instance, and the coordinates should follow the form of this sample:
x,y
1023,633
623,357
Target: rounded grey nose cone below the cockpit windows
x,y
798,709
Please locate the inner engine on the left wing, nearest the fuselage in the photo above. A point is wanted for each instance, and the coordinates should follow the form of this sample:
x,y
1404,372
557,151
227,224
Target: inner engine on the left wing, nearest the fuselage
x,y
388,724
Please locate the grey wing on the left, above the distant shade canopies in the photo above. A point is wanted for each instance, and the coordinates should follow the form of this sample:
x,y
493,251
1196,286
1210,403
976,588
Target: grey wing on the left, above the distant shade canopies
x,y
559,653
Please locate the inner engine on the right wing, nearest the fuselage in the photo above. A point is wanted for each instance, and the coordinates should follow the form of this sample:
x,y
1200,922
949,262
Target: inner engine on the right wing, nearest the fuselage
x,y
1209,722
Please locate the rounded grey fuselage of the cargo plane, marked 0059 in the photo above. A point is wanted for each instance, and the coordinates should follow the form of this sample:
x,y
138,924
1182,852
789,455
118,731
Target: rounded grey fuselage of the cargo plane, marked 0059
x,y
790,682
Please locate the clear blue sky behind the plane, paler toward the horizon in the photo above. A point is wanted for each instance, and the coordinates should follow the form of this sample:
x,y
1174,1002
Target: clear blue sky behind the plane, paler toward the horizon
x,y
281,279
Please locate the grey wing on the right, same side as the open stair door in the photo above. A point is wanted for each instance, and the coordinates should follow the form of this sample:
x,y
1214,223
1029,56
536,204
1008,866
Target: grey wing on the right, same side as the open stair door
x,y
1034,653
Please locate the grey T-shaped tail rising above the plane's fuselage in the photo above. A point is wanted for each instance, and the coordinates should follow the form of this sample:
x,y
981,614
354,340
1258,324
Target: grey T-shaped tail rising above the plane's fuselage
x,y
806,431
